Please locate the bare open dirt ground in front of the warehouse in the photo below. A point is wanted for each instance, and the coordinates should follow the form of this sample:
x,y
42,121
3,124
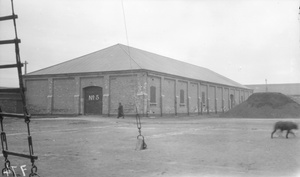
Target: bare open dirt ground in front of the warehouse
x,y
177,147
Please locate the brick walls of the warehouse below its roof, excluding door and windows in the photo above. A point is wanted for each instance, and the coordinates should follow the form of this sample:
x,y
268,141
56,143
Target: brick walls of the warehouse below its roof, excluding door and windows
x,y
65,95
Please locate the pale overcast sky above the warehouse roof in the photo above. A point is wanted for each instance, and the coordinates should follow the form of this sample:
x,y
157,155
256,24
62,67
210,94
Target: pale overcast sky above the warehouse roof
x,y
247,41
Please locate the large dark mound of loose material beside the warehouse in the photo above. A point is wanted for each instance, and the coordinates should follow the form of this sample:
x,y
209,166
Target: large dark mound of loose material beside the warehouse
x,y
265,105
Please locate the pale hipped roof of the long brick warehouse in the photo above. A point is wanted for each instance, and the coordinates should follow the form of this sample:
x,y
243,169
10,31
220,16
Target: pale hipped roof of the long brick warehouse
x,y
120,57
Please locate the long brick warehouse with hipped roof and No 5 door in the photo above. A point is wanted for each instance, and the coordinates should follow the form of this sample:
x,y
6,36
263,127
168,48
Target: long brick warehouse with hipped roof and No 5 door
x,y
151,84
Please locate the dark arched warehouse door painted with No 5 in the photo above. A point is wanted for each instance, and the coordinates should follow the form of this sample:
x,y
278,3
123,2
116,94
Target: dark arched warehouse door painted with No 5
x,y
93,100
